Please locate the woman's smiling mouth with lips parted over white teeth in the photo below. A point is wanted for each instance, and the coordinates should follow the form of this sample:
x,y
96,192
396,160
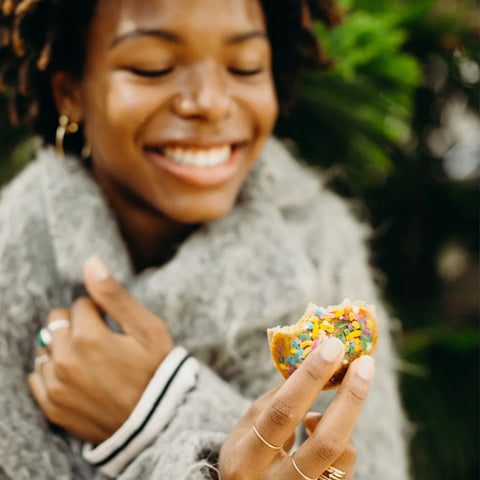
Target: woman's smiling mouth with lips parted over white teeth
x,y
205,166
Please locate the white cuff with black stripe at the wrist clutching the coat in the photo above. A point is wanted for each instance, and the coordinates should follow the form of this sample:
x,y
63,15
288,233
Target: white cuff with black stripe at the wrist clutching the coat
x,y
175,376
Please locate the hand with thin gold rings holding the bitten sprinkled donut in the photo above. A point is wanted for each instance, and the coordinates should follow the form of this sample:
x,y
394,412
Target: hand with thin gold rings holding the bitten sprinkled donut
x,y
277,413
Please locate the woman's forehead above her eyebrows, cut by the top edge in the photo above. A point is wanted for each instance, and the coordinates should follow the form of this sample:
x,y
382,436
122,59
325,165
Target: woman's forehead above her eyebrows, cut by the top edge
x,y
116,17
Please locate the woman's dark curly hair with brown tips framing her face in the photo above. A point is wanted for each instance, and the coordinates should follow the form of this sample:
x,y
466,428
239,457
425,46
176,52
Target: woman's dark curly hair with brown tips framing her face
x,y
38,37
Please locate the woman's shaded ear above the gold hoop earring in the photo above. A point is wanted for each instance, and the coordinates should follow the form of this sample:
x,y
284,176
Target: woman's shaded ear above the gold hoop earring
x,y
67,95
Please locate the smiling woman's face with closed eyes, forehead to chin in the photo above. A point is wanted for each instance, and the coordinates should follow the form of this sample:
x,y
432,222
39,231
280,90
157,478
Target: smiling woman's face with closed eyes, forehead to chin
x,y
177,100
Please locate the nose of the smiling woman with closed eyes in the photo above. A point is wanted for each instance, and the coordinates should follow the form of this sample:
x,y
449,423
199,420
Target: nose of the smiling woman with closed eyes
x,y
204,96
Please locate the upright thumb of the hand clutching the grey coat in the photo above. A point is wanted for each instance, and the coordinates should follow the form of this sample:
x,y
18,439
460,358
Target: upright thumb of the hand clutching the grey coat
x,y
115,300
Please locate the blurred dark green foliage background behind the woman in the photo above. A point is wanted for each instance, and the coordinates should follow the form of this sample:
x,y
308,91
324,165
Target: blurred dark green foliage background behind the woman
x,y
395,125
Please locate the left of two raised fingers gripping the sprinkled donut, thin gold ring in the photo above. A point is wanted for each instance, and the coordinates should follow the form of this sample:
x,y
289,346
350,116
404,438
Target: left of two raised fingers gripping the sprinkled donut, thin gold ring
x,y
292,401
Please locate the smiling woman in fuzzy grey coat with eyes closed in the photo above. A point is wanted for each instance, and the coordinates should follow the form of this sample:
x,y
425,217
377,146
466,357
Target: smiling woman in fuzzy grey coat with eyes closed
x,y
211,231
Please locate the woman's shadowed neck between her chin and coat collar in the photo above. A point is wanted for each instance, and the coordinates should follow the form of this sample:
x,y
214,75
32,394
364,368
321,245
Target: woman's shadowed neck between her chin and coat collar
x,y
152,239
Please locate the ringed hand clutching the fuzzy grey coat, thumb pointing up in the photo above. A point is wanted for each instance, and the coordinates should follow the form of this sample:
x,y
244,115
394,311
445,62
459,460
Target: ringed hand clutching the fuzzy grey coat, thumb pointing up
x,y
94,377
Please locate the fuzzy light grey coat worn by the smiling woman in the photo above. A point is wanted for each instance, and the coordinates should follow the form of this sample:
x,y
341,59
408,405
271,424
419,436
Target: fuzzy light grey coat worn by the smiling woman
x,y
288,241
